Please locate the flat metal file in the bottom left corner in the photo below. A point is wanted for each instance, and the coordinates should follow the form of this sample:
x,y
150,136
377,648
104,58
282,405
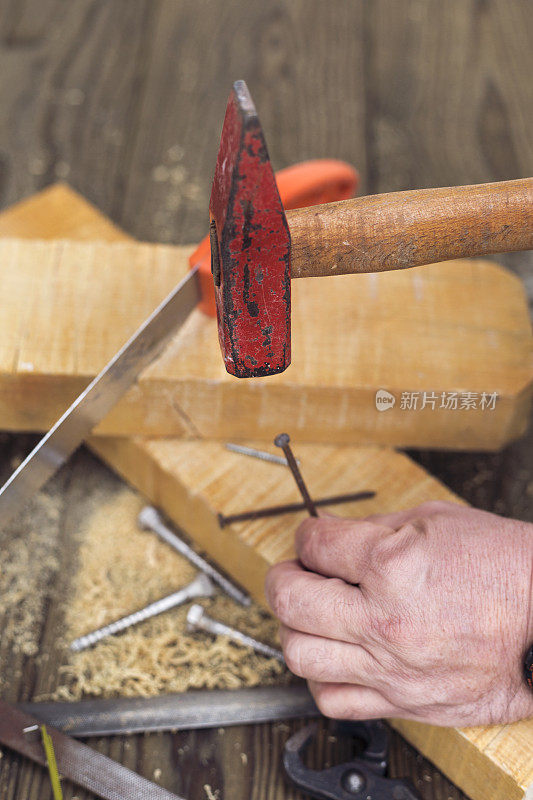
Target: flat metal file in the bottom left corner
x,y
77,762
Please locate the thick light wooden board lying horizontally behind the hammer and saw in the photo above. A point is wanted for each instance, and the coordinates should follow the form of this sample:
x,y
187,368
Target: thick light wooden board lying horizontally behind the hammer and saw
x,y
460,326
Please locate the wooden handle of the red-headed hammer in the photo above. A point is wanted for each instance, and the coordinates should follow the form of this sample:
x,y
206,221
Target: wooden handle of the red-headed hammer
x,y
405,229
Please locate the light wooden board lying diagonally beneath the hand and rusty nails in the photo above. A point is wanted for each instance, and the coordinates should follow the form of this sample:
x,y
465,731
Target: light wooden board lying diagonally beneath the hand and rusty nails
x,y
496,762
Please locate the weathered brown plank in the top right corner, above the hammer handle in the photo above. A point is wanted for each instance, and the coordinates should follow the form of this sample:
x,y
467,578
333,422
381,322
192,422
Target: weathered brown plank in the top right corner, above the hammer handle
x,y
431,127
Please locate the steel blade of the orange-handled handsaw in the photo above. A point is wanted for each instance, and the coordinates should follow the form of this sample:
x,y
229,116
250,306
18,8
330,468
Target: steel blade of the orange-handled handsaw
x,y
99,397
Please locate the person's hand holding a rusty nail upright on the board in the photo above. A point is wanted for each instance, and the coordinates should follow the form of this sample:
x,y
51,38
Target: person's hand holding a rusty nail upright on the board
x,y
425,614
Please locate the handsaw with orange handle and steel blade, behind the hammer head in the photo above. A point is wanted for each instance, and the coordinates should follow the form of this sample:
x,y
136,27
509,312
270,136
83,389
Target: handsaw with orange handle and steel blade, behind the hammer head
x,y
303,184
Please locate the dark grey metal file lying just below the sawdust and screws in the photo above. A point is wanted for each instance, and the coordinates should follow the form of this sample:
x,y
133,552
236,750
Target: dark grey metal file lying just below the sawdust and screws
x,y
185,711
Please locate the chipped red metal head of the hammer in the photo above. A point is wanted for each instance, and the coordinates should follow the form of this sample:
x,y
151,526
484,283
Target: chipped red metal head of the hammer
x,y
250,248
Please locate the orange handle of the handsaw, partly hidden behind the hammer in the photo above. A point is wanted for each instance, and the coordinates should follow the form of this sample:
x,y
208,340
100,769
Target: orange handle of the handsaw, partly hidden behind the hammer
x,y
307,184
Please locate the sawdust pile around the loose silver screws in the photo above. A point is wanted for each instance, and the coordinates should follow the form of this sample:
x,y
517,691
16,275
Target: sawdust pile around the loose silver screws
x,y
121,569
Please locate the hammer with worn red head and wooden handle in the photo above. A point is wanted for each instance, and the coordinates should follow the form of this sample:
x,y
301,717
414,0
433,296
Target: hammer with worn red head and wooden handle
x,y
256,248
